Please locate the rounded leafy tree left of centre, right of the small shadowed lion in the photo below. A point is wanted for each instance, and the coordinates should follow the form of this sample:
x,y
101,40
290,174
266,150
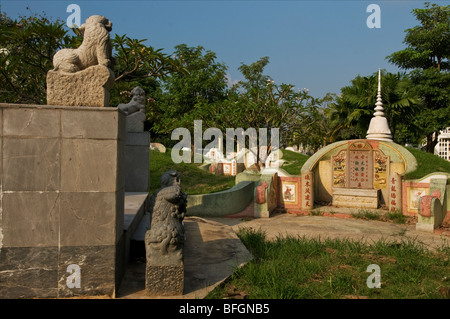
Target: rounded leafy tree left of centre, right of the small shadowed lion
x,y
192,95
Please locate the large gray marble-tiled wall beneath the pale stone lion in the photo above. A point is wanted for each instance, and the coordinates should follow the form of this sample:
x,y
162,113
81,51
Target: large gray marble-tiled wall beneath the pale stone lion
x,y
61,200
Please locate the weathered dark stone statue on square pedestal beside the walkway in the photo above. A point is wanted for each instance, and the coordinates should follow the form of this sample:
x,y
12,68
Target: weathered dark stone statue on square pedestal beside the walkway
x,y
164,242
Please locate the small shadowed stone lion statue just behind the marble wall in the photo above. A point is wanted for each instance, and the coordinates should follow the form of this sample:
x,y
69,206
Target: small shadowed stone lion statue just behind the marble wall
x,y
135,110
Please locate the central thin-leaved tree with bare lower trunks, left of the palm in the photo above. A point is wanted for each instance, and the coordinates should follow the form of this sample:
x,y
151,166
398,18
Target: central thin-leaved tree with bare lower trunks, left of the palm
x,y
258,102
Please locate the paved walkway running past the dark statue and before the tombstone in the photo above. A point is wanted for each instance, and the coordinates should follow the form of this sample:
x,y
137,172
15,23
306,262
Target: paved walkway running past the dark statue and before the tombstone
x,y
213,250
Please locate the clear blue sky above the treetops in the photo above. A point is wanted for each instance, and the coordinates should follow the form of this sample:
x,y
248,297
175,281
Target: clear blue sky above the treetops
x,y
319,45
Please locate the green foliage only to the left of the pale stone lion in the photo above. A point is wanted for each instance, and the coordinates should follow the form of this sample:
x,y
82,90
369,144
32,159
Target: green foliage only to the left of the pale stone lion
x,y
28,45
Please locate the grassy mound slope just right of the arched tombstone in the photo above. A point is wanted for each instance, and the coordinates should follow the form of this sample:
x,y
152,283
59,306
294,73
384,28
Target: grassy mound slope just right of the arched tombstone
x,y
426,164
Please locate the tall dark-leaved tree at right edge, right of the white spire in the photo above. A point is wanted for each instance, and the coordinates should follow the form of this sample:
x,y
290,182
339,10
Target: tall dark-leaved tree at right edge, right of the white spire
x,y
427,55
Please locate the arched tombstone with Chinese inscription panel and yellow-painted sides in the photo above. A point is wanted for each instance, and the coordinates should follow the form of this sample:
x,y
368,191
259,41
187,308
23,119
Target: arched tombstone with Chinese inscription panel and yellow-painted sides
x,y
357,173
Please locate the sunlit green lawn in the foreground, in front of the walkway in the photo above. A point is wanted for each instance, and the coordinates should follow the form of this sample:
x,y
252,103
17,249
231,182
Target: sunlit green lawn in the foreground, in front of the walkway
x,y
291,268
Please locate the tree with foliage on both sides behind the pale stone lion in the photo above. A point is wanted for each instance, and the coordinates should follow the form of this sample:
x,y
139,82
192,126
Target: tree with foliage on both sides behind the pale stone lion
x,y
28,45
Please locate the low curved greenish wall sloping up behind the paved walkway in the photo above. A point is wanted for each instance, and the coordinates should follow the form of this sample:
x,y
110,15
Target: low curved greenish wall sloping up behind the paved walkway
x,y
220,204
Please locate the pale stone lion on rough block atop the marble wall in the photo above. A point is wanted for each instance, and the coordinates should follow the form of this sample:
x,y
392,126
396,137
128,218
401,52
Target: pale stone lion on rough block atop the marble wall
x,y
83,76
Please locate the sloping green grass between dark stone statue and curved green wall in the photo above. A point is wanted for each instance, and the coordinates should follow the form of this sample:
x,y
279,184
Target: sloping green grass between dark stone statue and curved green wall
x,y
193,179
